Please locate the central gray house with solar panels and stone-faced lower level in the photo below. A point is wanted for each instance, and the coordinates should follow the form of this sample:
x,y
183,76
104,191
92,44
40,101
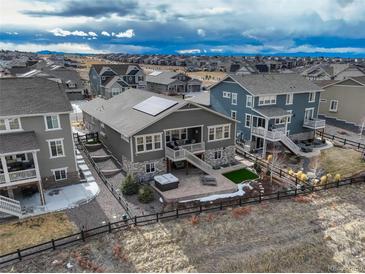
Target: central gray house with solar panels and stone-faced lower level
x,y
148,132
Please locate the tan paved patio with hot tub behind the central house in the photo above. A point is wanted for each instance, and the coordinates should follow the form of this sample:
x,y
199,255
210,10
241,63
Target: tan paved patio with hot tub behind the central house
x,y
191,188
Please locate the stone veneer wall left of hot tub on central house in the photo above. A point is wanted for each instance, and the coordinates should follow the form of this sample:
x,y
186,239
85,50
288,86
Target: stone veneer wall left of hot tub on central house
x,y
139,168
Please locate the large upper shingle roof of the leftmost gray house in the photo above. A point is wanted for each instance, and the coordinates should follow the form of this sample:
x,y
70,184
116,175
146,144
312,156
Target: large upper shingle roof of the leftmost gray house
x,y
21,96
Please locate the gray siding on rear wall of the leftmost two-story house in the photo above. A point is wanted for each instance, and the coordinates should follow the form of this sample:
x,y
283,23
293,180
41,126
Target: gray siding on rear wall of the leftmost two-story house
x,y
37,124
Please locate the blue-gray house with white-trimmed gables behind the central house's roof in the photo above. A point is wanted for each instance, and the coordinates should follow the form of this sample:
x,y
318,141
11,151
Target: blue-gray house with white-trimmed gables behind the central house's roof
x,y
108,80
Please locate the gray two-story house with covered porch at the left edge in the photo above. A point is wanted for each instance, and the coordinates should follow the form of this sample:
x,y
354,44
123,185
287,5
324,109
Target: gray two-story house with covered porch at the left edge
x,y
36,144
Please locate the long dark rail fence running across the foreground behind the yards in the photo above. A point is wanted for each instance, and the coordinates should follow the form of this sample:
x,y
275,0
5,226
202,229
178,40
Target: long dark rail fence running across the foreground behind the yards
x,y
83,235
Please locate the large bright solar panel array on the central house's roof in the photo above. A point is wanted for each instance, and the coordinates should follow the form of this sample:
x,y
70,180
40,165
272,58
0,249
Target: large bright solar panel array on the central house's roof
x,y
154,105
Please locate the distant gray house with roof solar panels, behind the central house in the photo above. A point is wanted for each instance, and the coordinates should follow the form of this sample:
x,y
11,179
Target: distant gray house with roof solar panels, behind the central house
x,y
172,83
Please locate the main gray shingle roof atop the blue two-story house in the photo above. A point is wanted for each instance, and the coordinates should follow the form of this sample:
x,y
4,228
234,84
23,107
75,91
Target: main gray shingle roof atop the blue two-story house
x,y
278,83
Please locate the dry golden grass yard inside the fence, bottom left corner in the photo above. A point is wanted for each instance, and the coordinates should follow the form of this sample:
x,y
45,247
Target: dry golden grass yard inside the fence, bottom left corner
x,y
32,231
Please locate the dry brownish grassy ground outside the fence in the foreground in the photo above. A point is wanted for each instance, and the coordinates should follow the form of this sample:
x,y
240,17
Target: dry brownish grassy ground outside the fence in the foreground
x,y
324,232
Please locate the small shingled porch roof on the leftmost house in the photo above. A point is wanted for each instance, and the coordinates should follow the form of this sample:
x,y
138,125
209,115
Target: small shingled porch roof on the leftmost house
x,y
18,141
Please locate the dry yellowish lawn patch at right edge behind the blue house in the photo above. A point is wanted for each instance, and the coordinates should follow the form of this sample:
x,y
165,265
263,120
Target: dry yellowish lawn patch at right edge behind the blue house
x,y
344,161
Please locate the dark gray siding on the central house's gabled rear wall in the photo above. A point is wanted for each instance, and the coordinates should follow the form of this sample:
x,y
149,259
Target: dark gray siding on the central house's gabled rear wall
x,y
181,119
